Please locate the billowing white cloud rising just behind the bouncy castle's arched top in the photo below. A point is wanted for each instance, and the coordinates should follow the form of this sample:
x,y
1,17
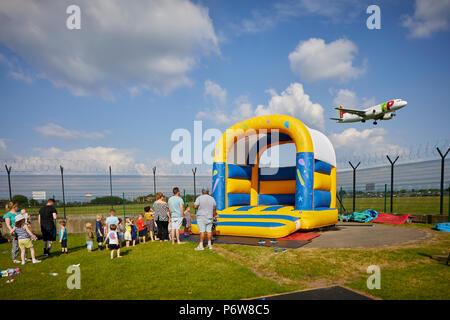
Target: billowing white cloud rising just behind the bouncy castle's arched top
x,y
293,101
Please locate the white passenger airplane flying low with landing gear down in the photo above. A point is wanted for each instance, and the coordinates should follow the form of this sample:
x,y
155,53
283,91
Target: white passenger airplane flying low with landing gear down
x,y
384,111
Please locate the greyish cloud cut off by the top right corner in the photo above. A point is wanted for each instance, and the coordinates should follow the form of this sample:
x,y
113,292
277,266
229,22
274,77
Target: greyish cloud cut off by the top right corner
x,y
430,16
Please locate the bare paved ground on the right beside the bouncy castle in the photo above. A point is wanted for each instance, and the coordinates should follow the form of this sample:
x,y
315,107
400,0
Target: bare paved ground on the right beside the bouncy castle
x,y
357,235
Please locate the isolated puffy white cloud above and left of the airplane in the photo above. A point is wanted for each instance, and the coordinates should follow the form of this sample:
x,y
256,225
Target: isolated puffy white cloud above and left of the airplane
x,y
314,60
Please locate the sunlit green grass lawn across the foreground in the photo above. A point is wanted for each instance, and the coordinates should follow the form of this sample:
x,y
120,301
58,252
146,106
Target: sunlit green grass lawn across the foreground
x,y
165,271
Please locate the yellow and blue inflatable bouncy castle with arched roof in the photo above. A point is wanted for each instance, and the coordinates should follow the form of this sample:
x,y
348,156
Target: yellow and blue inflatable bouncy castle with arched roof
x,y
273,202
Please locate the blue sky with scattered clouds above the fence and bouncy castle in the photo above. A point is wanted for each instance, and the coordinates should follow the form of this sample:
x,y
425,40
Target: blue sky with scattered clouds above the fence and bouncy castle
x,y
115,91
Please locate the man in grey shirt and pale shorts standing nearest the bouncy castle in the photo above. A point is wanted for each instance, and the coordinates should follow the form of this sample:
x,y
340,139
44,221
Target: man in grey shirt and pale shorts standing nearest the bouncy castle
x,y
205,206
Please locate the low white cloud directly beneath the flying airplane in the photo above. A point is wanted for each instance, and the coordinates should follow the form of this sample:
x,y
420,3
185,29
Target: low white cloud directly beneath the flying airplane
x,y
351,142
